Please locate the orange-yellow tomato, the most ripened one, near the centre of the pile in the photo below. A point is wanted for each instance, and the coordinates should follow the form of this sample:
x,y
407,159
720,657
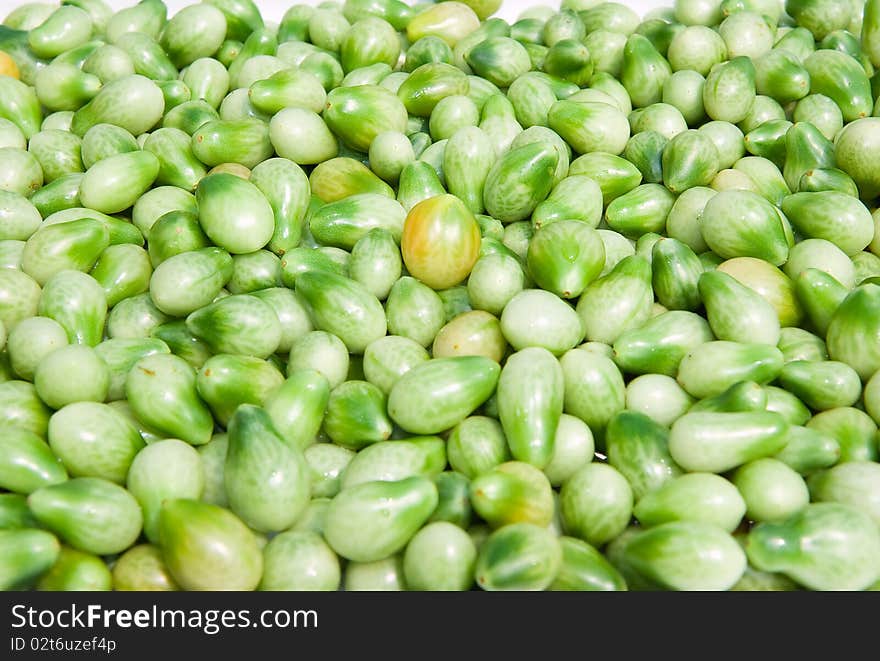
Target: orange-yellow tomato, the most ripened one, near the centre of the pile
x,y
441,241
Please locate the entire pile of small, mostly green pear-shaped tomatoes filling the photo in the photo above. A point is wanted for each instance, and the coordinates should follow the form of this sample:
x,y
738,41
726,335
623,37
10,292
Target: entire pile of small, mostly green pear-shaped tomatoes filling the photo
x,y
410,297
